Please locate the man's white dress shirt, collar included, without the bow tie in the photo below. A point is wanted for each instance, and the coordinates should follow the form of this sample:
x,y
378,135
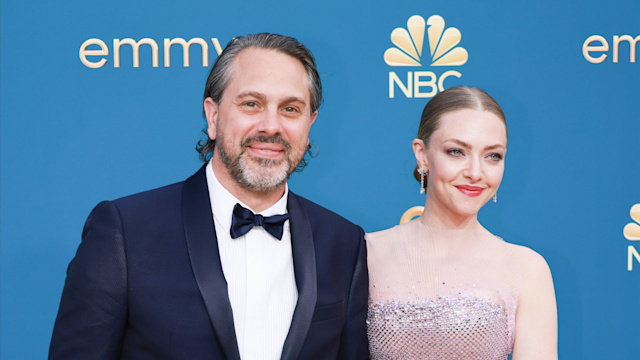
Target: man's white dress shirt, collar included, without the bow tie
x,y
259,273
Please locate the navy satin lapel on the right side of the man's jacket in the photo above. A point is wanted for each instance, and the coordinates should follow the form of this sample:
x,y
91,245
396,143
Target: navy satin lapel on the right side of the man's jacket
x,y
304,264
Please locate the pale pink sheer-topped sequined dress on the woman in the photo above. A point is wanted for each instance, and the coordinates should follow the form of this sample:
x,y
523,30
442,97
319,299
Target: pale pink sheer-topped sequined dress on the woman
x,y
441,294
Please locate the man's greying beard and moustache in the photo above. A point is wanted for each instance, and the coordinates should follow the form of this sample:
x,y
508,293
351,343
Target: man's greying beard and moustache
x,y
255,173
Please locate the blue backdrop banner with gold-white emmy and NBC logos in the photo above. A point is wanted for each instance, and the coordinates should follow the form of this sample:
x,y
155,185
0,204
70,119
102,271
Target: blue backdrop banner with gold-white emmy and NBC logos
x,y
99,100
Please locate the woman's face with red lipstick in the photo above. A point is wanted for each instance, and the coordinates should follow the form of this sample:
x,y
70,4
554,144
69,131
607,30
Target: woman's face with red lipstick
x,y
465,160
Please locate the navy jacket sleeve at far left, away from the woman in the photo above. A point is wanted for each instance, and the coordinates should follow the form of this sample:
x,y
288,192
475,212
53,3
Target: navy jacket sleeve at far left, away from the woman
x,y
93,310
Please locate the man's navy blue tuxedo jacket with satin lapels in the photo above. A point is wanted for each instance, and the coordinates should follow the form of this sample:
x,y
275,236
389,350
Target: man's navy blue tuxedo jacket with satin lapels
x,y
147,283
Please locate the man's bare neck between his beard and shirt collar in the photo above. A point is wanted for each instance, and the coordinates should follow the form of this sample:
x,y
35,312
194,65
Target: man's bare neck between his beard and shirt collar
x,y
257,200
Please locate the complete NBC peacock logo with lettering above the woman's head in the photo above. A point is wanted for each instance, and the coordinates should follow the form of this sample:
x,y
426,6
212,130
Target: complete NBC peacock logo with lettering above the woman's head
x,y
408,51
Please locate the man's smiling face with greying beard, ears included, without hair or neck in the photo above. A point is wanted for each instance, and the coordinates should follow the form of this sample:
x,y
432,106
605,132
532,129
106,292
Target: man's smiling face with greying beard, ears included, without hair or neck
x,y
261,125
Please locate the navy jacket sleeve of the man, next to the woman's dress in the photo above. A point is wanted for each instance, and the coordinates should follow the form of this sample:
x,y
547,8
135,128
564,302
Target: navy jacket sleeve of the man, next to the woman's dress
x,y
354,344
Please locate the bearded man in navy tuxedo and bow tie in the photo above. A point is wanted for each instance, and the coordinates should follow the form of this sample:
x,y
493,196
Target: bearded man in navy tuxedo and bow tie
x,y
228,264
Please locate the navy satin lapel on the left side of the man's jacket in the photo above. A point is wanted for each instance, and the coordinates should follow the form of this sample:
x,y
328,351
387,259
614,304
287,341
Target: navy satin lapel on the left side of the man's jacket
x,y
205,260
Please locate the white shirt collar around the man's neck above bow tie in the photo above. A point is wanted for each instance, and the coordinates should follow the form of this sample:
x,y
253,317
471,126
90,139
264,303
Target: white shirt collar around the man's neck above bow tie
x,y
222,201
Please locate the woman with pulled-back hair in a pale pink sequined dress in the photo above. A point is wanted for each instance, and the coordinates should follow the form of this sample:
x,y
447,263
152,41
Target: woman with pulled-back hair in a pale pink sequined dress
x,y
442,286
